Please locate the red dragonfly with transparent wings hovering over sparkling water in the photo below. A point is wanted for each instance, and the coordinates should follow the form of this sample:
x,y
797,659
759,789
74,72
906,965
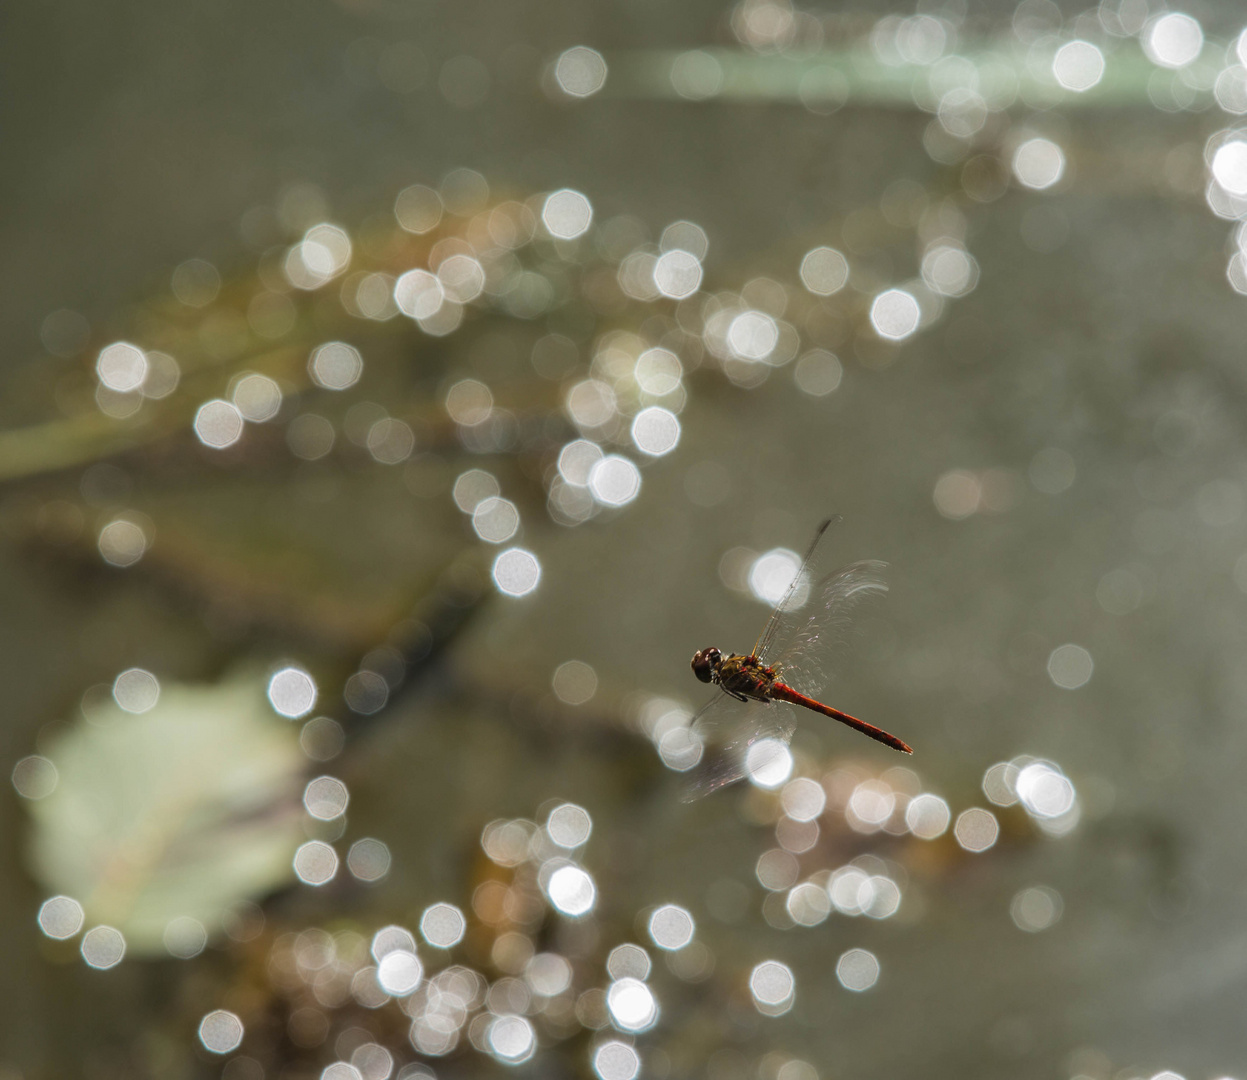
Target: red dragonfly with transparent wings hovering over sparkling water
x,y
811,617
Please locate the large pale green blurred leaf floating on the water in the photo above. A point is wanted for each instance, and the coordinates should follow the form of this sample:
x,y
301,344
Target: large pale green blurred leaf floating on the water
x,y
180,812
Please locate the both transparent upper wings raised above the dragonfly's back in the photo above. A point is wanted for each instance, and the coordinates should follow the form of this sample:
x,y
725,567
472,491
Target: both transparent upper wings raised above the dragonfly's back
x,y
810,629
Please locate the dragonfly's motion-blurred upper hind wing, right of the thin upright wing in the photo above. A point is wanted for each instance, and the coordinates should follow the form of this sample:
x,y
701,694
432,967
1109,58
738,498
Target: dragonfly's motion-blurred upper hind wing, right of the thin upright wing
x,y
809,639
